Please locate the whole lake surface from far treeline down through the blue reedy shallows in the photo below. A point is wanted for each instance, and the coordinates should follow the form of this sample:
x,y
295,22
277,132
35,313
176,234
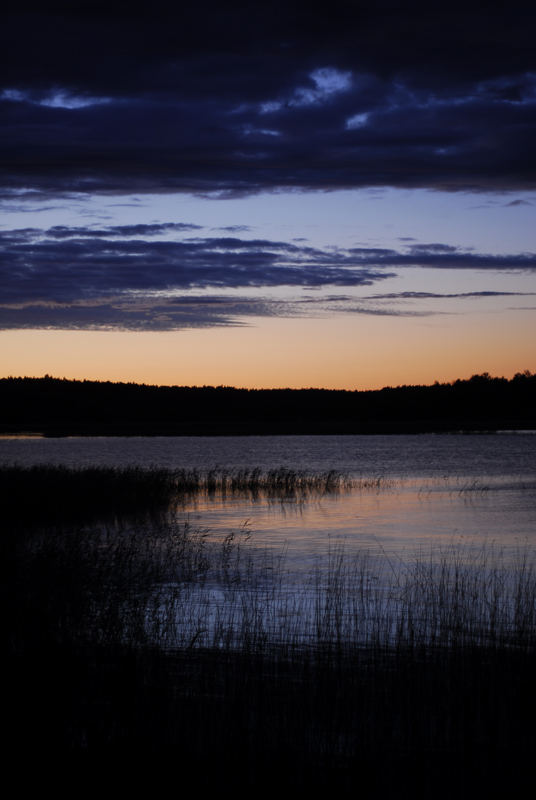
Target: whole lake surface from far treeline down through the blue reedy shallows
x,y
430,521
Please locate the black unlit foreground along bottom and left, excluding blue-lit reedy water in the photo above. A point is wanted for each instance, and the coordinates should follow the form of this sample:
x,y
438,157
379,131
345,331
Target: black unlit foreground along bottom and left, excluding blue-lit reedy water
x,y
86,688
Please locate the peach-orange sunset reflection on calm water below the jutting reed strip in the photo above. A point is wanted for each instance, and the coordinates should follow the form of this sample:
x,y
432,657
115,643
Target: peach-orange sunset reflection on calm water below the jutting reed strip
x,y
405,519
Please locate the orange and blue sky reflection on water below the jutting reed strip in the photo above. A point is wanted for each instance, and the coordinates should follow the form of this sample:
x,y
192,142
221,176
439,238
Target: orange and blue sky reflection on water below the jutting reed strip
x,y
405,547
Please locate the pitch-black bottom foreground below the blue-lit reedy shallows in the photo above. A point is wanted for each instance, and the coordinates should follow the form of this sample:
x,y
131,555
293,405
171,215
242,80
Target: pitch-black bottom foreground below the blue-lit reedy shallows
x,y
401,724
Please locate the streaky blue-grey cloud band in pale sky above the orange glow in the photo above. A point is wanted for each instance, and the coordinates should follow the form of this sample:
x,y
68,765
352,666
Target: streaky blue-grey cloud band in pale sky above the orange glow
x,y
127,277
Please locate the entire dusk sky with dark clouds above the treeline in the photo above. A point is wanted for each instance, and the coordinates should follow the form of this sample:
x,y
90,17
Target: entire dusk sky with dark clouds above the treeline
x,y
267,195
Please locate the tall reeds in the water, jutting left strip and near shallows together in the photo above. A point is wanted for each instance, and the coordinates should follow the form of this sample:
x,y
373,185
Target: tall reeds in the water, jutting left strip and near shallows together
x,y
173,586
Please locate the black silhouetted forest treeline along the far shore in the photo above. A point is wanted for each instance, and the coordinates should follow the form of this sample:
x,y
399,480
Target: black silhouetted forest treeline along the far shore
x,y
58,407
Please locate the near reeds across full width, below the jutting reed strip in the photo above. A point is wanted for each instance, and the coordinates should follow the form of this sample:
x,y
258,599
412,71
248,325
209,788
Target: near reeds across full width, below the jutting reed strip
x,y
178,587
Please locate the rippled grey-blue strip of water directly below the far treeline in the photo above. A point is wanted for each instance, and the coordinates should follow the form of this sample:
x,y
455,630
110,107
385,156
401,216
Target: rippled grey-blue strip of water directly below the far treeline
x,y
401,456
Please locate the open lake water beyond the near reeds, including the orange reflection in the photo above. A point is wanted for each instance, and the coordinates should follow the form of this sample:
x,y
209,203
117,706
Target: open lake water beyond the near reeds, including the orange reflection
x,y
432,490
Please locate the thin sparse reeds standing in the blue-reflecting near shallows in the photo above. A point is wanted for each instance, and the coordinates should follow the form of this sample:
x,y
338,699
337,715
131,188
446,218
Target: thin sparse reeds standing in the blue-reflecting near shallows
x,y
453,600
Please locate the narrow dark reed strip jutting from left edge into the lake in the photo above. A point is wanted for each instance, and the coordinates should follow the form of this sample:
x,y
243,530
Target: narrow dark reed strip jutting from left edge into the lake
x,y
54,493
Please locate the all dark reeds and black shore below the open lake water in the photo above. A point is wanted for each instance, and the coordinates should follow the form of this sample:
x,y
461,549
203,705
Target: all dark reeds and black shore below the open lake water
x,y
143,643
